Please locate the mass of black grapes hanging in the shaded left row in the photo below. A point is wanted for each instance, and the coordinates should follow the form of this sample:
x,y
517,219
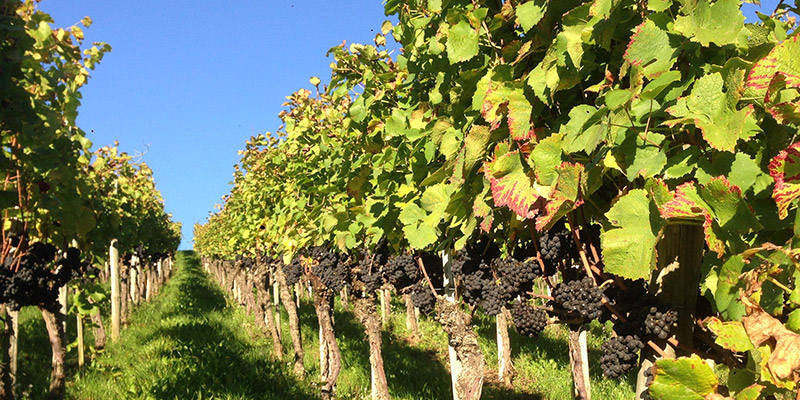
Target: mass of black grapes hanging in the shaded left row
x,y
29,279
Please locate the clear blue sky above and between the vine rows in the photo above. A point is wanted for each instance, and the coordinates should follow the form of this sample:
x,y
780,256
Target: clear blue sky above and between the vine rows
x,y
187,82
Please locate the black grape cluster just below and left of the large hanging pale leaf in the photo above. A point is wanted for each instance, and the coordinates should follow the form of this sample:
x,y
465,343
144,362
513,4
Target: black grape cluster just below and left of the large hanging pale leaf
x,y
579,297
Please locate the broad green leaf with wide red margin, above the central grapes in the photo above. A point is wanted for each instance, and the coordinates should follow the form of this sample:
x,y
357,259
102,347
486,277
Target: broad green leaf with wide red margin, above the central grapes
x,y
511,184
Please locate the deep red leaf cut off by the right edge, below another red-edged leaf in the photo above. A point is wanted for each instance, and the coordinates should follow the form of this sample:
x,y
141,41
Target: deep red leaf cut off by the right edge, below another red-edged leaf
x,y
785,170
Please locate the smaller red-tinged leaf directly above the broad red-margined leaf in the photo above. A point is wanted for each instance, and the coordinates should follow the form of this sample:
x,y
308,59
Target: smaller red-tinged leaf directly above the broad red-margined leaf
x,y
501,101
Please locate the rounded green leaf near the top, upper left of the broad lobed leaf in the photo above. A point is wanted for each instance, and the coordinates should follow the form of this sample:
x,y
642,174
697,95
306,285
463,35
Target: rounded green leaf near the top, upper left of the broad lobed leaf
x,y
651,48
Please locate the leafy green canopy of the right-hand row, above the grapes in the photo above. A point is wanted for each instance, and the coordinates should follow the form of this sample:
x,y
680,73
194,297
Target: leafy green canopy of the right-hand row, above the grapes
x,y
503,118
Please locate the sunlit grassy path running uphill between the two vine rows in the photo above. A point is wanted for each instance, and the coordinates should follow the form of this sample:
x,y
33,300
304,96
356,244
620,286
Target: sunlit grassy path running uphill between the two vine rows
x,y
188,344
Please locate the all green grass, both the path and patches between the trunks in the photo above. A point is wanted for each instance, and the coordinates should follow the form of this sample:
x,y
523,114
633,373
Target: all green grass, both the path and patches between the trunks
x,y
193,342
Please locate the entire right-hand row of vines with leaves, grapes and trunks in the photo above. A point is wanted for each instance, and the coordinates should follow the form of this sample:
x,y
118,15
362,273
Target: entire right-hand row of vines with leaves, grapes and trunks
x,y
636,161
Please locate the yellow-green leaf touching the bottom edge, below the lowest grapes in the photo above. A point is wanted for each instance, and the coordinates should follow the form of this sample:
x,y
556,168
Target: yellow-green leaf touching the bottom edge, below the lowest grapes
x,y
683,378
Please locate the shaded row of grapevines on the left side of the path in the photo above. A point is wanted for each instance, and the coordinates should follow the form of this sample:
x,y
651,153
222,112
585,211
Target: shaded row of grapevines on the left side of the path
x,y
62,204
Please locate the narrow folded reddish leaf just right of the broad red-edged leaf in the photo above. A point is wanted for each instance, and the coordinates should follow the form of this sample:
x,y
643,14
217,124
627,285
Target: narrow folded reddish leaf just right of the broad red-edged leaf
x,y
564,196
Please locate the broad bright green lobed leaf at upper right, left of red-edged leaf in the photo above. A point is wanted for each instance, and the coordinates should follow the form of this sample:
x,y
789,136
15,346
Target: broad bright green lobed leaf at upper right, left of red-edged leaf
x,y
707,108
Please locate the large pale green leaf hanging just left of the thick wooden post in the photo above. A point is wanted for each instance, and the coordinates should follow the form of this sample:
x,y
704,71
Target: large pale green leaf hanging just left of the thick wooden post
x,y
629,247
